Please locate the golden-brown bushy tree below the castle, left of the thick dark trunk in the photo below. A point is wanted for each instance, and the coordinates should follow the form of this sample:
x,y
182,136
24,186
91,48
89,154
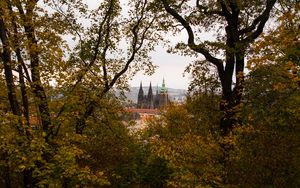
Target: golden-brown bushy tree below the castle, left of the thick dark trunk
x,y
185,139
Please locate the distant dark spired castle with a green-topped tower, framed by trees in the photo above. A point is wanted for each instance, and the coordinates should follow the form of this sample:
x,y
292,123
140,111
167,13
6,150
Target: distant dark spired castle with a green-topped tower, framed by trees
x,y
151,101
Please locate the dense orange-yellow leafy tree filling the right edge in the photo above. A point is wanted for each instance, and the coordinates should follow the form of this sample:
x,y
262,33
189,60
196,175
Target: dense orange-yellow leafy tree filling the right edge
x,y
267,153
